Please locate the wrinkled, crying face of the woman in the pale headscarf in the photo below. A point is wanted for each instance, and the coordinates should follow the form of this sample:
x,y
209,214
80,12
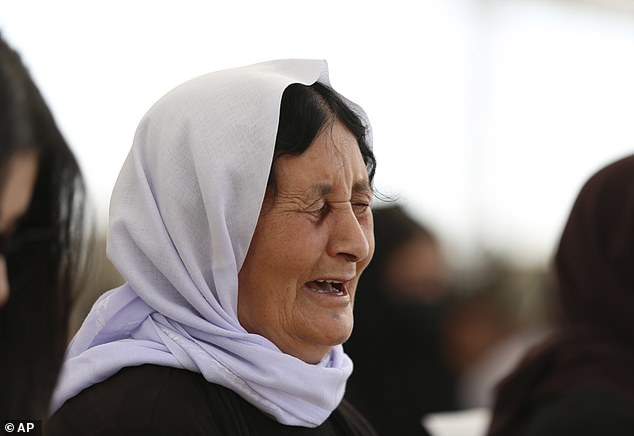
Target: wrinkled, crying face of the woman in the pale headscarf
x,y
313,239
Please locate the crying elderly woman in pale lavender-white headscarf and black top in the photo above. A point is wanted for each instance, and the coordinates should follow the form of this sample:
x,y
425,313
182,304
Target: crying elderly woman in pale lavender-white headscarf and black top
x,y
241,223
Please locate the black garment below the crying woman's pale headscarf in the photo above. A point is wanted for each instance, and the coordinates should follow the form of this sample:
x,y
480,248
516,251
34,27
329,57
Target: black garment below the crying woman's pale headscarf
x,y
157,400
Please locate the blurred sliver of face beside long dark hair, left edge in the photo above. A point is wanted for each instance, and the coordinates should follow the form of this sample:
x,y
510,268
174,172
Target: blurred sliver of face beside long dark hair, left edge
x,y
15,197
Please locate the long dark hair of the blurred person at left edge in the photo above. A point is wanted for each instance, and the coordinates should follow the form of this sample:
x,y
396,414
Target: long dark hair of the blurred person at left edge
x,y
43,257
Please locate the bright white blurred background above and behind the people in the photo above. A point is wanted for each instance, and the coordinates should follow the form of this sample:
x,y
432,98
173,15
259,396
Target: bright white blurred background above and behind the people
x,y
487,114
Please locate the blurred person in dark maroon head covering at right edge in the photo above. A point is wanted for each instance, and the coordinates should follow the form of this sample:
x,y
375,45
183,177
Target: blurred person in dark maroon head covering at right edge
x,y
579,381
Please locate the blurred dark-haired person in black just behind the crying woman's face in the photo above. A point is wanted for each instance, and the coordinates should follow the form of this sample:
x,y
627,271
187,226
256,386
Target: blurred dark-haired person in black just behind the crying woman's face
x,y
400,371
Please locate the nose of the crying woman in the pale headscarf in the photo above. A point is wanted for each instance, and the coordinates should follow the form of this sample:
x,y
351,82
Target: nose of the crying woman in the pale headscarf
x,y
349,238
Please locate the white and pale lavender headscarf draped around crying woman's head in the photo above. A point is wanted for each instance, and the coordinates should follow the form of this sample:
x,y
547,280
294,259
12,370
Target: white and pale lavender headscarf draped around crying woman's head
x,y
182,215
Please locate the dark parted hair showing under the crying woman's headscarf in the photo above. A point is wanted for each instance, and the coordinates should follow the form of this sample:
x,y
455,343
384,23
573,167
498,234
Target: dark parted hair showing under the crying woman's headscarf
x,y
305,111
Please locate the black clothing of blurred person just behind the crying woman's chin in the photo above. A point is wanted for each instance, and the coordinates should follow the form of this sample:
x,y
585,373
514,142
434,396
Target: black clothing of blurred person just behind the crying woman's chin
x,y
399,376
